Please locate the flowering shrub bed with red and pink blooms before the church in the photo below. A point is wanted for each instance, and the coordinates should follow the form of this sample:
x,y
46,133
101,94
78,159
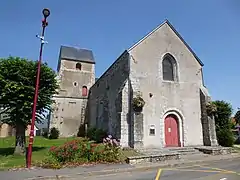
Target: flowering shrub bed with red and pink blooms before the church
x,y
82,151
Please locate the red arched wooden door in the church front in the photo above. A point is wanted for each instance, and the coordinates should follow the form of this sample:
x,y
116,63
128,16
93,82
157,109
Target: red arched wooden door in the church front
x,y
171,132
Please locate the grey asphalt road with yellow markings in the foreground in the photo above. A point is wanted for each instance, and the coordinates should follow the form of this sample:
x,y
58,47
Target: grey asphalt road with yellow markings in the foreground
x,y
222,170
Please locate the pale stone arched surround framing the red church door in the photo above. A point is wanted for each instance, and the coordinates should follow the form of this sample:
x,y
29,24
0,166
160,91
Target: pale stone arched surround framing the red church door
x,y
179,116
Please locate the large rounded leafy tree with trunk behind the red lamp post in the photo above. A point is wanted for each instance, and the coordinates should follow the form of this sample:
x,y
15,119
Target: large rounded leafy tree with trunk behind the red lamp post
x,y
17,85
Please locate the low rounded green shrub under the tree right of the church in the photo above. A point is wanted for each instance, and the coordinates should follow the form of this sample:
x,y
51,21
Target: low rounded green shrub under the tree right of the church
x,y
225,137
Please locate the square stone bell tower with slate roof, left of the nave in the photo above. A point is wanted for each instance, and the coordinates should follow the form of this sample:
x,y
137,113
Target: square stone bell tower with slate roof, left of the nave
x,y
76,74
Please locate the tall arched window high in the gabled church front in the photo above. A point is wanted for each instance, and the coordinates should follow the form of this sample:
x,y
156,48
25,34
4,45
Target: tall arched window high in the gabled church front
x,y
169,68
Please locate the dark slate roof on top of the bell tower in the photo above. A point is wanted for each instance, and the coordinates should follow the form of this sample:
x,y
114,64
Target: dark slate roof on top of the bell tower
x,y
76,54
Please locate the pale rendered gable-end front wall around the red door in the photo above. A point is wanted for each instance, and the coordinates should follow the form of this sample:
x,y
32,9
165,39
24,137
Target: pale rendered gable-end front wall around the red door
x,y
181,97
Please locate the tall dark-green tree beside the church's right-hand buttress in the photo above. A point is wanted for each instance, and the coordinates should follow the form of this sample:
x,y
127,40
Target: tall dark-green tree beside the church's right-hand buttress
x,y
223,123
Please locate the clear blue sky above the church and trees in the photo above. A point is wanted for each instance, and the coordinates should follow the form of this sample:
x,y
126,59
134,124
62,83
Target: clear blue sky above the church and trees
x,y
108,27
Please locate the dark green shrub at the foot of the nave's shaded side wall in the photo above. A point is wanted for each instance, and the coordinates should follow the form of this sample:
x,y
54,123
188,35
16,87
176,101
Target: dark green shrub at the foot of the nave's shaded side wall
x,y
96,135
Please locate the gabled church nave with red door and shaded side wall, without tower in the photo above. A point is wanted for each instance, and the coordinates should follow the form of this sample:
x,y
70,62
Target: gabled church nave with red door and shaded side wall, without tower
x,y
164,71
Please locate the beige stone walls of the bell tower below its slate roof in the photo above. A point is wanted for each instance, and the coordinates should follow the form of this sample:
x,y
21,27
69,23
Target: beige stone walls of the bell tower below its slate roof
x,y
69,108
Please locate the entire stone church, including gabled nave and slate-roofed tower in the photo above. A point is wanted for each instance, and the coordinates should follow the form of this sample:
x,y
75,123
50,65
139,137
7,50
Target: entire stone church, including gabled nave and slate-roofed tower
x,y
161,70
